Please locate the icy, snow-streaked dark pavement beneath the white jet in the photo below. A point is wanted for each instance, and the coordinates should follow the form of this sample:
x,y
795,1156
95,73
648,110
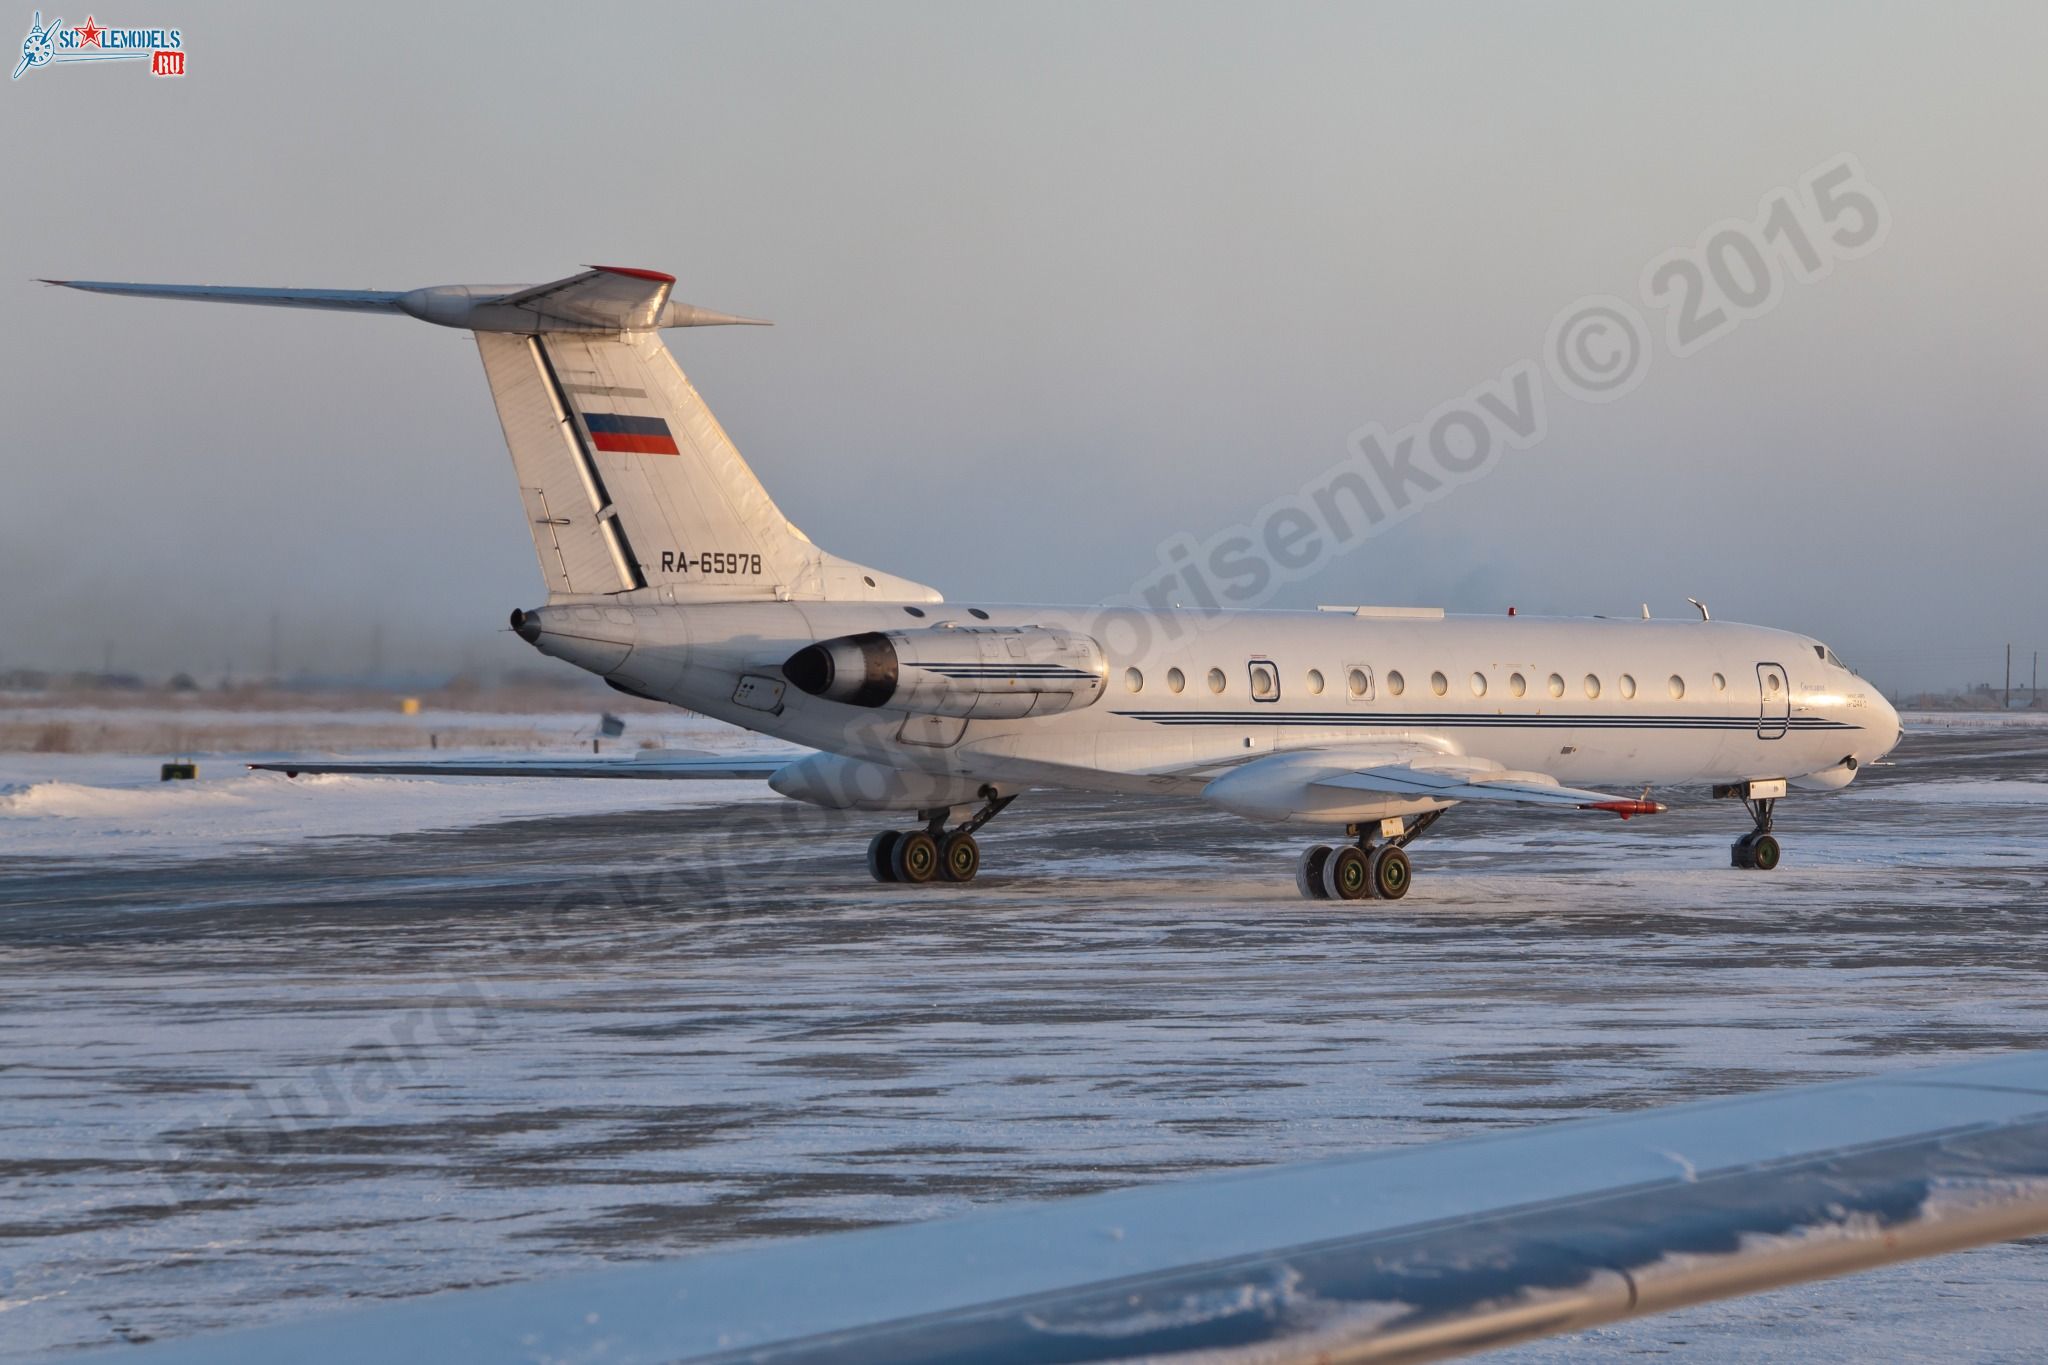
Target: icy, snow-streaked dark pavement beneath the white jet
x,y
249,1086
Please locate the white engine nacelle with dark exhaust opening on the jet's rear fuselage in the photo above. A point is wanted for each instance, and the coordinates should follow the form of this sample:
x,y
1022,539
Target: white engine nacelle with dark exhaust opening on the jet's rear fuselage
x,y
978,672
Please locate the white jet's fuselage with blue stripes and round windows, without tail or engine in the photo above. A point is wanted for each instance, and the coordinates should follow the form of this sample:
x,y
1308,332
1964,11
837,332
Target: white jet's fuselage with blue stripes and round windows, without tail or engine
x,y
1588,701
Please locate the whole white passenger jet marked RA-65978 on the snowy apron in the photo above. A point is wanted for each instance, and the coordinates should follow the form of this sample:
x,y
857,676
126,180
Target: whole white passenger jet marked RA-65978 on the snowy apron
x,y
673,576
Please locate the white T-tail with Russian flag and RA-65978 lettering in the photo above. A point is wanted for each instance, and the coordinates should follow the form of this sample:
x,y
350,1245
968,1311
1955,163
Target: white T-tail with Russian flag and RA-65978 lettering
x,y
628,480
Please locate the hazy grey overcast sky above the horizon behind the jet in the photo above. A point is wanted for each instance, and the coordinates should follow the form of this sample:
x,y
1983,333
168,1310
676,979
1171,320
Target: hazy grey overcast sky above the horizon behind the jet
x,y
1052,285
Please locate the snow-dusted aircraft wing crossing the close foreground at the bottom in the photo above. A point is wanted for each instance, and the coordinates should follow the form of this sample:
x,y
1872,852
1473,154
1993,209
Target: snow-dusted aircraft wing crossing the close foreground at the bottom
x,y
1404,1256
